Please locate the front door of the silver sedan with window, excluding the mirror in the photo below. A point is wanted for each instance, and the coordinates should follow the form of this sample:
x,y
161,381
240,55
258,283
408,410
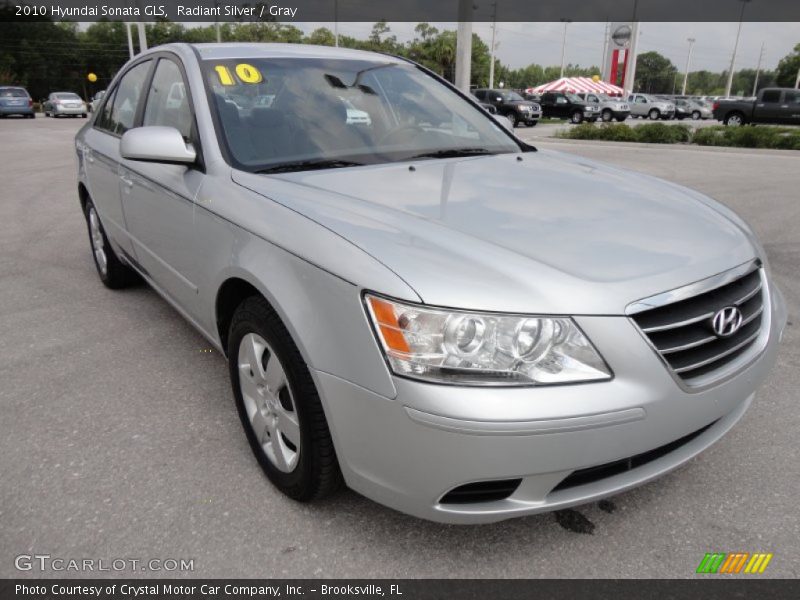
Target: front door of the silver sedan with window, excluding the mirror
x,y
158,198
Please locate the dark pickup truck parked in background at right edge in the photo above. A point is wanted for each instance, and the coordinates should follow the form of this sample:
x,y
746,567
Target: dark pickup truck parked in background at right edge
x,y
772,105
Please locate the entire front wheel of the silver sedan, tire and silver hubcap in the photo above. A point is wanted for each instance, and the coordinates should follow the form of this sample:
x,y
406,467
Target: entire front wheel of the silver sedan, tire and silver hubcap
x,y
279,406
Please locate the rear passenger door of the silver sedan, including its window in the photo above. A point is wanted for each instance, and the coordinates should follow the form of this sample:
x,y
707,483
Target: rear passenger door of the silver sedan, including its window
x,y
102,158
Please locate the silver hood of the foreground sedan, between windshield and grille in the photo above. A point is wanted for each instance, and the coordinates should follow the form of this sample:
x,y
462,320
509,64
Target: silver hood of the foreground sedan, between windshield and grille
x,y
533,232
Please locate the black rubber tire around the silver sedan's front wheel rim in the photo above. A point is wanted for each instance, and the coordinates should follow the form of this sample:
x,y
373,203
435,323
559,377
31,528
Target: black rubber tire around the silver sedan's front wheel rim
x,y
317,473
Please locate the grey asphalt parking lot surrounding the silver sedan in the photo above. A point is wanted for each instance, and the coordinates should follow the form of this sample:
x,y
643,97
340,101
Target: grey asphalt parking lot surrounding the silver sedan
x,y
119,437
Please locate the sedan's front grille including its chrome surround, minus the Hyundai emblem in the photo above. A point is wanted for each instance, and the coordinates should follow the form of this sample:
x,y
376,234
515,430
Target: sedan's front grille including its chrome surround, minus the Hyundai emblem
x,y
677,325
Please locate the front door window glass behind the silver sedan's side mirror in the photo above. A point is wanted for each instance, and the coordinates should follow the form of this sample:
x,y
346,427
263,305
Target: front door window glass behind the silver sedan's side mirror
x,y
167,101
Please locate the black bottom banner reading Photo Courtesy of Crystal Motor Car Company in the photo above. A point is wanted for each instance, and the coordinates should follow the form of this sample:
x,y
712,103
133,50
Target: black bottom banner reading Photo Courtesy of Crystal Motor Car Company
x,y
707,588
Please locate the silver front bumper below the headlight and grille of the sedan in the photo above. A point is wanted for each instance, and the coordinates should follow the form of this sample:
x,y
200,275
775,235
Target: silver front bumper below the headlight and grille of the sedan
x,y
407,452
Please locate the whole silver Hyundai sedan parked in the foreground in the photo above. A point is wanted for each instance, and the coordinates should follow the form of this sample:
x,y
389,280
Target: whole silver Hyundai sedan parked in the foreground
x,y
416,303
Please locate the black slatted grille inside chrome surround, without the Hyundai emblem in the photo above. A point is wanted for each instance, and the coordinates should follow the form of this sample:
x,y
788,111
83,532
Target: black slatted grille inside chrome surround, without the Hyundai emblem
x,y
683,334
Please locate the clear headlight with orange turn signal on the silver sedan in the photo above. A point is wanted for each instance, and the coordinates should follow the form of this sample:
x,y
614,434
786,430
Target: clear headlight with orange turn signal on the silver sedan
x,y
467,348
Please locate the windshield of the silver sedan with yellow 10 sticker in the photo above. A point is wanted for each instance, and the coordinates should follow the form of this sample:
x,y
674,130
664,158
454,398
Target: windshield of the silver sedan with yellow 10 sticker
x,y
320,113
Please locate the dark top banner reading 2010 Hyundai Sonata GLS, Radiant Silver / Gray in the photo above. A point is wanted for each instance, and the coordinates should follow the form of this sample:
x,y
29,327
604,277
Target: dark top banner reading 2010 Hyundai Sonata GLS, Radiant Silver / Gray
x,y
402,10
